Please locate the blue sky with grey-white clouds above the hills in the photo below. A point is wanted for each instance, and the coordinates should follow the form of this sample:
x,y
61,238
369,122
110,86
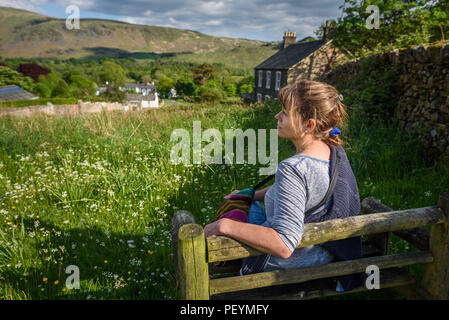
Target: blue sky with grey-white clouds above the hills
x,y
264,20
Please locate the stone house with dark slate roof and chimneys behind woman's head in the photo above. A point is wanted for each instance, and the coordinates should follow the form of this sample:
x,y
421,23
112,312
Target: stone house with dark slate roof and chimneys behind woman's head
x,y
295,60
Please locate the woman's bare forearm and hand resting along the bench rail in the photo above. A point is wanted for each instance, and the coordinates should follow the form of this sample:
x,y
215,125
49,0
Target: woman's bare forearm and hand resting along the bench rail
x,y
264,239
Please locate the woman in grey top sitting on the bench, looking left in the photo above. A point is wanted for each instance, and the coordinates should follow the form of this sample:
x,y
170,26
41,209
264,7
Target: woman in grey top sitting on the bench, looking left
x,y
311,112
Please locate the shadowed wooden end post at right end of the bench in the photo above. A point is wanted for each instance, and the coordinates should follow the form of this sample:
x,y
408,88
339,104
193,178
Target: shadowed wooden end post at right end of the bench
x,y
436,275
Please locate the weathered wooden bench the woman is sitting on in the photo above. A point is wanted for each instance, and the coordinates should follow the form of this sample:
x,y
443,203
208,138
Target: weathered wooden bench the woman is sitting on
x,y
198,278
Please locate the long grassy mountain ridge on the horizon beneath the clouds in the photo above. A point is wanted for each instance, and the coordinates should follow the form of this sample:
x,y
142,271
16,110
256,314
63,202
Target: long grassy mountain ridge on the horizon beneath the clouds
x,y
25,34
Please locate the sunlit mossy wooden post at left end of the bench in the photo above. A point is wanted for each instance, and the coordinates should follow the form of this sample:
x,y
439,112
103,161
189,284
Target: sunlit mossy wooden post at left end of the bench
x,y
193,273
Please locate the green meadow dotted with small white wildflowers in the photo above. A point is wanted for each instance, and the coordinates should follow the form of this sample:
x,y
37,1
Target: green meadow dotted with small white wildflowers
x,y
98,191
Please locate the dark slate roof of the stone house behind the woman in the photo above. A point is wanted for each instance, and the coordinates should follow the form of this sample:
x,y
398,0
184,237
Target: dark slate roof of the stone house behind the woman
x,y
285,58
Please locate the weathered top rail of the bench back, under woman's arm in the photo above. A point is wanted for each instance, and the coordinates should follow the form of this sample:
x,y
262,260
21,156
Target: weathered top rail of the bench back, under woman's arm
x,y
223,248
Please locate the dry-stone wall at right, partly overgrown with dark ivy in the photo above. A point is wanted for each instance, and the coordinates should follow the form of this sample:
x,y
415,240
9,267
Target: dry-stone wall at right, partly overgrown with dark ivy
x,y
423,101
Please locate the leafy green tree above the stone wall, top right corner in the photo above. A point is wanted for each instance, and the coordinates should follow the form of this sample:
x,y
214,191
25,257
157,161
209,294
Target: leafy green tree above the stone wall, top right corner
x,y
402,23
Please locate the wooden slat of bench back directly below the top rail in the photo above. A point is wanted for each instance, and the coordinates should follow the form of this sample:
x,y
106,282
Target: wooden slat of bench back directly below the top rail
x,y
279,277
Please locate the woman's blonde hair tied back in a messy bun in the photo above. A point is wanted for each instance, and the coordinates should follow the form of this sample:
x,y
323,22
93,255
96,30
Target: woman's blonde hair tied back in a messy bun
x,y
306,99
